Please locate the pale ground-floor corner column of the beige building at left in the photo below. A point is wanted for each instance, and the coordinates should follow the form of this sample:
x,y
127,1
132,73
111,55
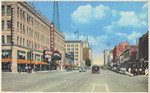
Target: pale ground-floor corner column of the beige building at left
x,y
14,59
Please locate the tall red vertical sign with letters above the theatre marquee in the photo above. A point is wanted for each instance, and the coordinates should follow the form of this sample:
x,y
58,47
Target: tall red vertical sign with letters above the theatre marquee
x,y
52,36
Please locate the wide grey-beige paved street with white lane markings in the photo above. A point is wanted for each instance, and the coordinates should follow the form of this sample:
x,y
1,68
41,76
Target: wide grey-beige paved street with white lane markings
x,y
73,81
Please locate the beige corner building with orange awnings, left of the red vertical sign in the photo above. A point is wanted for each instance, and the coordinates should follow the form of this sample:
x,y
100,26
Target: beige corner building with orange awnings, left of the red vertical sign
x,y
23,30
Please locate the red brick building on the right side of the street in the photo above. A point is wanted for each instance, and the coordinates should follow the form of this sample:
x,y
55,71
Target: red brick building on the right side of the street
x,y
118,49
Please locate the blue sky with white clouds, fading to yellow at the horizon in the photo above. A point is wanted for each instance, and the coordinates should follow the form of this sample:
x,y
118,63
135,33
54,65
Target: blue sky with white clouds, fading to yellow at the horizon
x,y
102,21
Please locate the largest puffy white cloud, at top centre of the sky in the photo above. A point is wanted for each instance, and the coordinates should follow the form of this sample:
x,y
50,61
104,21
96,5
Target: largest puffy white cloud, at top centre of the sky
x,y
84,14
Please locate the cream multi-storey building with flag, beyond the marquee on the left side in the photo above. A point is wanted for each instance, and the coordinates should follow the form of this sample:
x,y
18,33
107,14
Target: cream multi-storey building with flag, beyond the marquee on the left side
x,y
75,46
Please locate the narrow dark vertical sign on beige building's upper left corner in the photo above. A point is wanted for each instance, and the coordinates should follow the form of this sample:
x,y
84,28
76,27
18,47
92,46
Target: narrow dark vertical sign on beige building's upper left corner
x,y
12,26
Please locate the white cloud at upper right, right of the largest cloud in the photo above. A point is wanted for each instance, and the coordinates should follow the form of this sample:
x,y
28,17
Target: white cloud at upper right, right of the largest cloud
x,y
128,19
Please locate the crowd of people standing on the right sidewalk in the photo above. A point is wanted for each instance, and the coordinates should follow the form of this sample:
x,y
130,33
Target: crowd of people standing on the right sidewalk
x,y
138,71
